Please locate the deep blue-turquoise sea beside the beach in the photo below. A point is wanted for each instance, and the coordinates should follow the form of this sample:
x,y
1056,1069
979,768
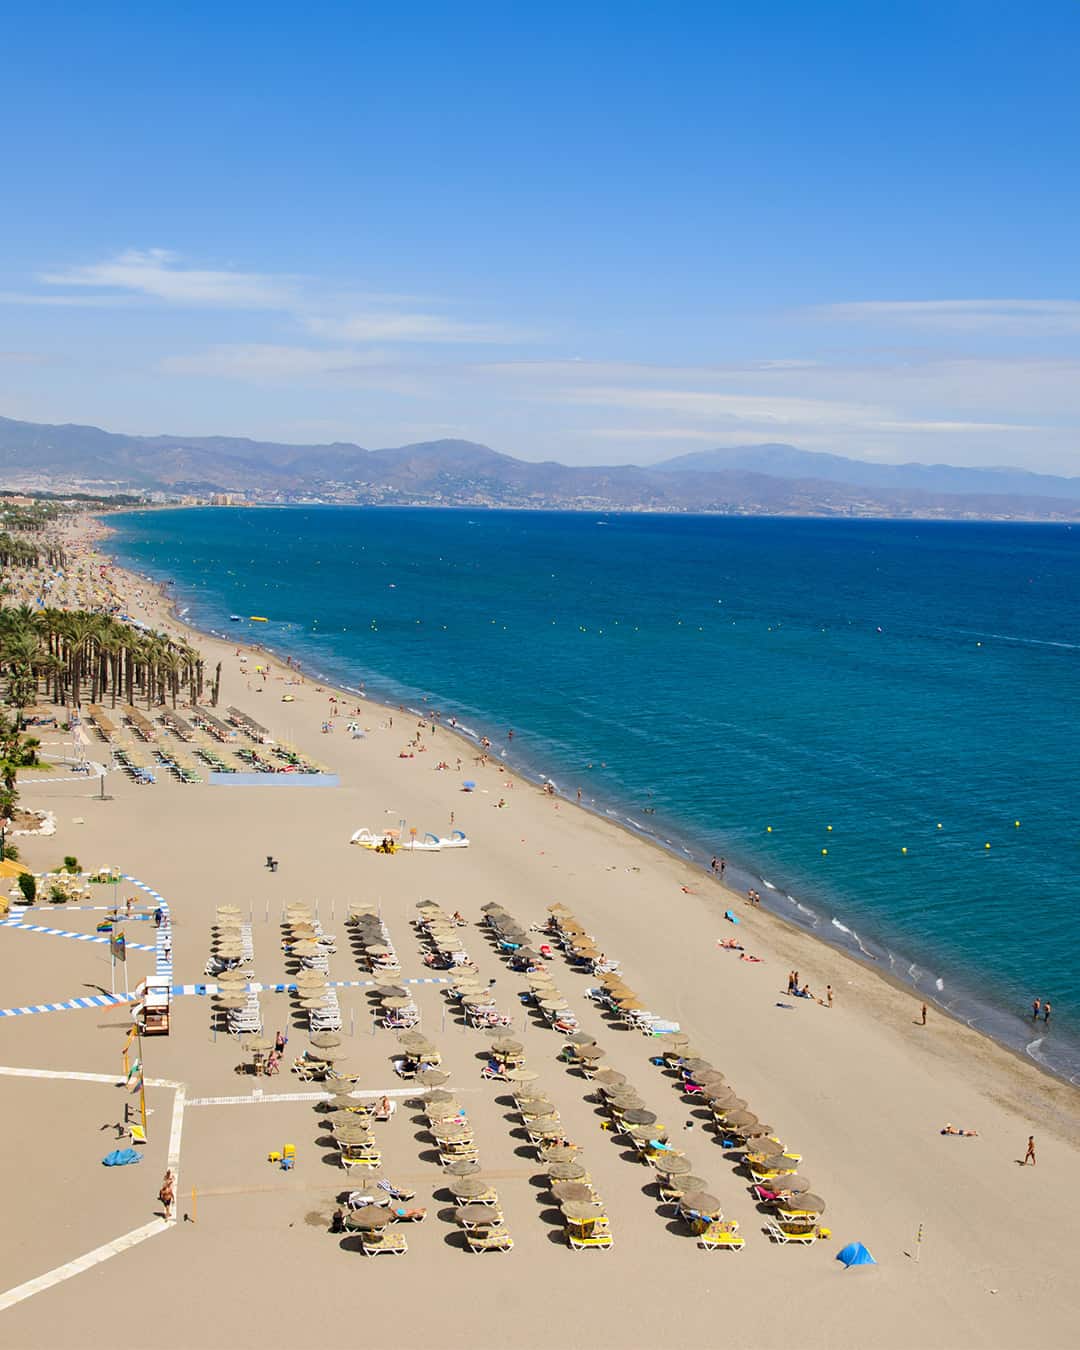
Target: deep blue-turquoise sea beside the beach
x,y
850,712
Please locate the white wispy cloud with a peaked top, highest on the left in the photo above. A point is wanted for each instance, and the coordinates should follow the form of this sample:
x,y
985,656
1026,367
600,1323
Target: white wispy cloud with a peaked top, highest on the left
x,y
161,275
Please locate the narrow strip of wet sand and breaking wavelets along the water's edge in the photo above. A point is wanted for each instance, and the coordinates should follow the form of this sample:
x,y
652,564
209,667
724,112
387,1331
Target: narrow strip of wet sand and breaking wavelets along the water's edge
x,y
847,944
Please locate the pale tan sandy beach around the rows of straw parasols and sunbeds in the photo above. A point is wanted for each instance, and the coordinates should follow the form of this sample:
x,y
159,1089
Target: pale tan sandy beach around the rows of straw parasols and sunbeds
x,y
862,1090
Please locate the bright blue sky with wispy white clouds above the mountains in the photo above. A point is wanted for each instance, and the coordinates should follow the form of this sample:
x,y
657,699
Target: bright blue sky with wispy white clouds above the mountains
x,y
593,233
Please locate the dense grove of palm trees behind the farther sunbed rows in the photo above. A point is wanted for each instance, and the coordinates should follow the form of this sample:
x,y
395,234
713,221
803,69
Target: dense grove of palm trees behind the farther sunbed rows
x,y
75,657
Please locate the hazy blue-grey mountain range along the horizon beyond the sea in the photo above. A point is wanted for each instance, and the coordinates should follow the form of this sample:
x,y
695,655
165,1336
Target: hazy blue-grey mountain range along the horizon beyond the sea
x,y
749,480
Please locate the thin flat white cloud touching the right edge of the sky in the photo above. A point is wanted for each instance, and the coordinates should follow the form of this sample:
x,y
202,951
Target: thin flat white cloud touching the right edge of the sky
x,y
1016,318
